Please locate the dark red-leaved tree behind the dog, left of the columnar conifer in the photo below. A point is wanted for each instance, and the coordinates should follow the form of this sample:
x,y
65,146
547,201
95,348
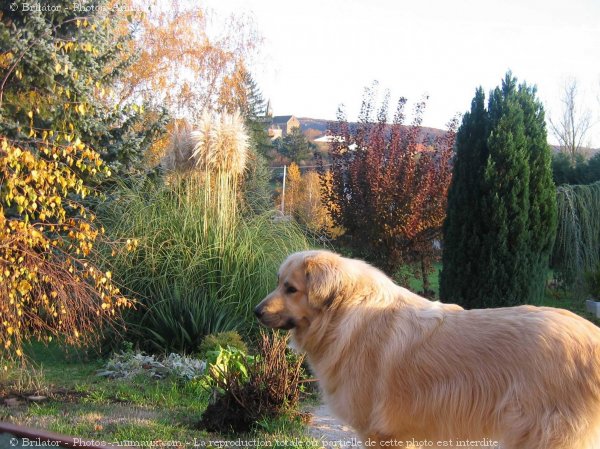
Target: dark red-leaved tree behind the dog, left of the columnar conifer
x,y
389,185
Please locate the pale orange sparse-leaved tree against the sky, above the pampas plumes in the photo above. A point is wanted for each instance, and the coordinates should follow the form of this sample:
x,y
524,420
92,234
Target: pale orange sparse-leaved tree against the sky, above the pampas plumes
x,y
183,63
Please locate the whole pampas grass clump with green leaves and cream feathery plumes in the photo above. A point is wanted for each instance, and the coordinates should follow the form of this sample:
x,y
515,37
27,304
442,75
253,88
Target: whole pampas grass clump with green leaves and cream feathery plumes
x,y
199,266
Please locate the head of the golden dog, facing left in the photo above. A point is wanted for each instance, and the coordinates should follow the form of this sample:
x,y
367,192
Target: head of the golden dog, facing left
x,y
308,284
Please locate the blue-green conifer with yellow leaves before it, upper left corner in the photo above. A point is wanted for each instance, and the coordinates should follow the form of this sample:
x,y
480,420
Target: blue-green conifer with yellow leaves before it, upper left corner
x,y
61,69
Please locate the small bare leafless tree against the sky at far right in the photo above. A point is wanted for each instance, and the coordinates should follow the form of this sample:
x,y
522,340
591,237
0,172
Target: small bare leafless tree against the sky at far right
x,y
573,124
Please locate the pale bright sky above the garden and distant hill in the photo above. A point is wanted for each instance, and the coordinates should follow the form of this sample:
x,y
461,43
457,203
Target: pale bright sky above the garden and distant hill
x,y
318,54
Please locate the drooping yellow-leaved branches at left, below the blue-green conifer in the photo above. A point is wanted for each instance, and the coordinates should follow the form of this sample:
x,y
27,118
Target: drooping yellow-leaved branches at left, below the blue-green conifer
x,y
47,286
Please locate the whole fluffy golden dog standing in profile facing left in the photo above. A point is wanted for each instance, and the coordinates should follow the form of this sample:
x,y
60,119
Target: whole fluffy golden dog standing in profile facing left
x,y
408,372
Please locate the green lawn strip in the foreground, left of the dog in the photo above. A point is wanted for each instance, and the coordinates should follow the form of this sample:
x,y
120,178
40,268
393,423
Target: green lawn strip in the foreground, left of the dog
x,y
81,404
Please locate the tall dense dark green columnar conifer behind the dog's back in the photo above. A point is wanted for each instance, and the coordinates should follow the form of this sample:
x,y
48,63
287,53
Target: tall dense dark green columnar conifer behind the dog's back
x,y
501,217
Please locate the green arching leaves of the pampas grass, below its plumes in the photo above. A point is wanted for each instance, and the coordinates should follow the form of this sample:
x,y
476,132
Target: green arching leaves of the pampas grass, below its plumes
x,y
191,283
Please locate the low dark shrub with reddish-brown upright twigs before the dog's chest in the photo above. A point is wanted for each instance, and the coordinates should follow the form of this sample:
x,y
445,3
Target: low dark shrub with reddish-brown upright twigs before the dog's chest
x,y
270,389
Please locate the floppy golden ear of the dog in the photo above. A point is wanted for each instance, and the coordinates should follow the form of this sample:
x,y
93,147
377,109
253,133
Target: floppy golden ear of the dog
x,y
325,279
